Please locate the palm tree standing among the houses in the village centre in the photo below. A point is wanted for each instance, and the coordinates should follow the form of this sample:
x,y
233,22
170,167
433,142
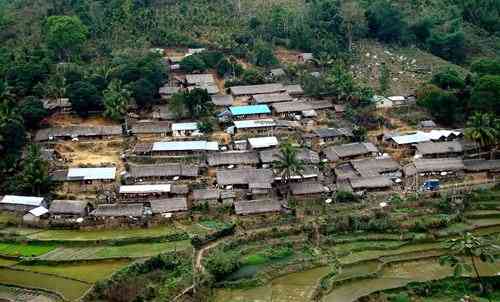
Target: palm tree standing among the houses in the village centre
x,y
288,163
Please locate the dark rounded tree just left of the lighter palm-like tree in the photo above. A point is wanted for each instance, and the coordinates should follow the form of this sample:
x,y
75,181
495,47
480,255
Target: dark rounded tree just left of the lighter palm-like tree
x,y
84,97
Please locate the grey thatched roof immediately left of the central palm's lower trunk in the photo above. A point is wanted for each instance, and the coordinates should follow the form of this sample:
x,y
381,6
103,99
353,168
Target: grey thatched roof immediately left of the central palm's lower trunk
x,y
244,176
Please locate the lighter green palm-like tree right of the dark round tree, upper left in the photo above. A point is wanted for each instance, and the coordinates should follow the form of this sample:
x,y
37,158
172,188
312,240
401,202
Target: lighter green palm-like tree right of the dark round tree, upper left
x,y
116,100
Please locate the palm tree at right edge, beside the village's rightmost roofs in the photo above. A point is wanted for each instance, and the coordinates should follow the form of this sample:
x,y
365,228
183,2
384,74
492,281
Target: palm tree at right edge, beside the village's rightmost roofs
x,y
483,129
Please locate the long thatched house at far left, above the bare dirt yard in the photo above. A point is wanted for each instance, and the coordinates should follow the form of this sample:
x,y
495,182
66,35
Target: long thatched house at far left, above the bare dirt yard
x,y
78,132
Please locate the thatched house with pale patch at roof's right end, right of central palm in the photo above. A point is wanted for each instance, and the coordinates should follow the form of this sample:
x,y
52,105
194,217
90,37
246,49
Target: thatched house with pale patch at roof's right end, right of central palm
x,y
350,151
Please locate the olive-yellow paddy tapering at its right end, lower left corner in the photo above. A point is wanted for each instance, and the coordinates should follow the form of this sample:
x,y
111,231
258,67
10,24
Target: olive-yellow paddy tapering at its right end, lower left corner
x,y
86,272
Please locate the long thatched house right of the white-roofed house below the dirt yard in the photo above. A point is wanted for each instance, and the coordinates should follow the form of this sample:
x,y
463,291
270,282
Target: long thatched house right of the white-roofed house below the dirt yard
x,y
160,172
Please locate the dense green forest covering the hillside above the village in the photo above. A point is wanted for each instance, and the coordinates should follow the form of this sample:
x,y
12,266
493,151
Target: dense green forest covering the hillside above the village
x,y
97,53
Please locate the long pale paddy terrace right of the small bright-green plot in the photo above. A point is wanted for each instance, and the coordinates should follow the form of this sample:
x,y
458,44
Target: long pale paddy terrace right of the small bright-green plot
x,y
101,252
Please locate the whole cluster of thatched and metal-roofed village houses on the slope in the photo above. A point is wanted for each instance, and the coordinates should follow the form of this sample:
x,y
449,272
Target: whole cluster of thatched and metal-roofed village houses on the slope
x,y
173,167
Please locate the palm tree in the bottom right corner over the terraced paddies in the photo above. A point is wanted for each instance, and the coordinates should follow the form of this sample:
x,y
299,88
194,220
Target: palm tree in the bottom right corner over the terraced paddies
x,y
472,248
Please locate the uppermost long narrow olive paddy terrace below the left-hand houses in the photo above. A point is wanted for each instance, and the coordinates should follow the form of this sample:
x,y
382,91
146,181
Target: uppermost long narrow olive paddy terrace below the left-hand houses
x,y
76,235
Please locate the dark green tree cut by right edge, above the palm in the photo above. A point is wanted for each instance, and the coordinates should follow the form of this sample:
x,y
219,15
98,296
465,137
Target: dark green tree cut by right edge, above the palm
x,y
486,94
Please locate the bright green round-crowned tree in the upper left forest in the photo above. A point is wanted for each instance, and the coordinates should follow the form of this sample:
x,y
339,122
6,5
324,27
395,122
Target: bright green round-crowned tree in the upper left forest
x,y
65,35
